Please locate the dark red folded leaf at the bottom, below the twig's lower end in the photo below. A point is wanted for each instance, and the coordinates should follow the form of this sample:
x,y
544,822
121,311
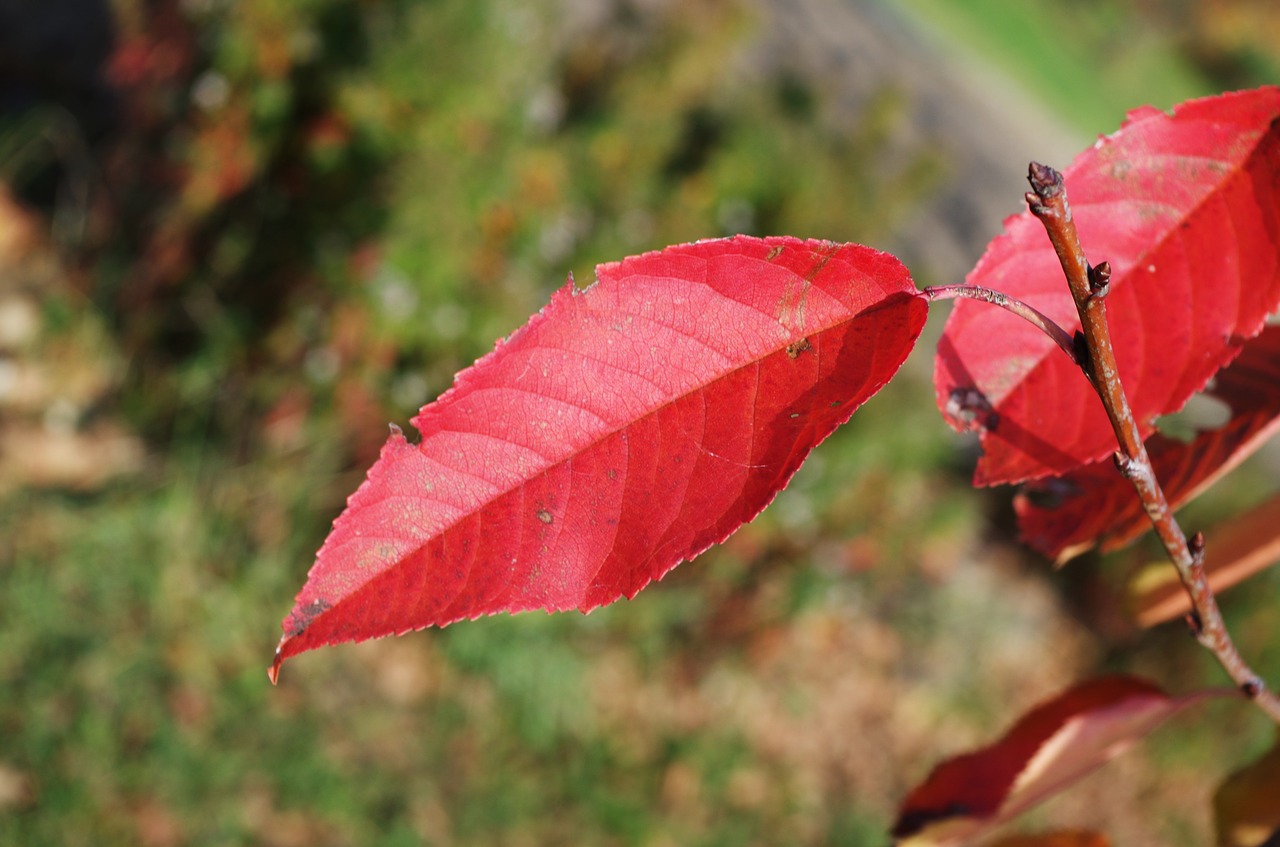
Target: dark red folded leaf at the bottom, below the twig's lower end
x,y
1052,748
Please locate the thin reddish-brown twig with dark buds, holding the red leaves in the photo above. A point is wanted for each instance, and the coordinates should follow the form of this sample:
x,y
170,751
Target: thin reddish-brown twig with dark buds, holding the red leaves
x,y
1090,287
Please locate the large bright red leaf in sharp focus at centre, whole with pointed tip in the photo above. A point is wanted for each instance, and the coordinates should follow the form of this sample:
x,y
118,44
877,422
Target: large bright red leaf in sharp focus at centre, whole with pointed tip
x,y
627,428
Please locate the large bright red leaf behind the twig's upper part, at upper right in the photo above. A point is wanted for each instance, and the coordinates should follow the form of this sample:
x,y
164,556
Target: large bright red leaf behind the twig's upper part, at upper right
x,y
1187,210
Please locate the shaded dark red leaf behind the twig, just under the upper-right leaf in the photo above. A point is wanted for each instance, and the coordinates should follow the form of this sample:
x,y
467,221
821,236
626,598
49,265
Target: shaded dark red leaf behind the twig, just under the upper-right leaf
x,y
1066,516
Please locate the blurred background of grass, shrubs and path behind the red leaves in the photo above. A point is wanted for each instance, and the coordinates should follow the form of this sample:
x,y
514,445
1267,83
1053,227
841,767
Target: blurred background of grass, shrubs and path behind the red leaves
x,y
237,240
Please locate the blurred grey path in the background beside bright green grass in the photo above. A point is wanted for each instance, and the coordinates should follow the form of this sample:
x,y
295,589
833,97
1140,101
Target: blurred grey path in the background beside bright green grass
x,y
986,127
